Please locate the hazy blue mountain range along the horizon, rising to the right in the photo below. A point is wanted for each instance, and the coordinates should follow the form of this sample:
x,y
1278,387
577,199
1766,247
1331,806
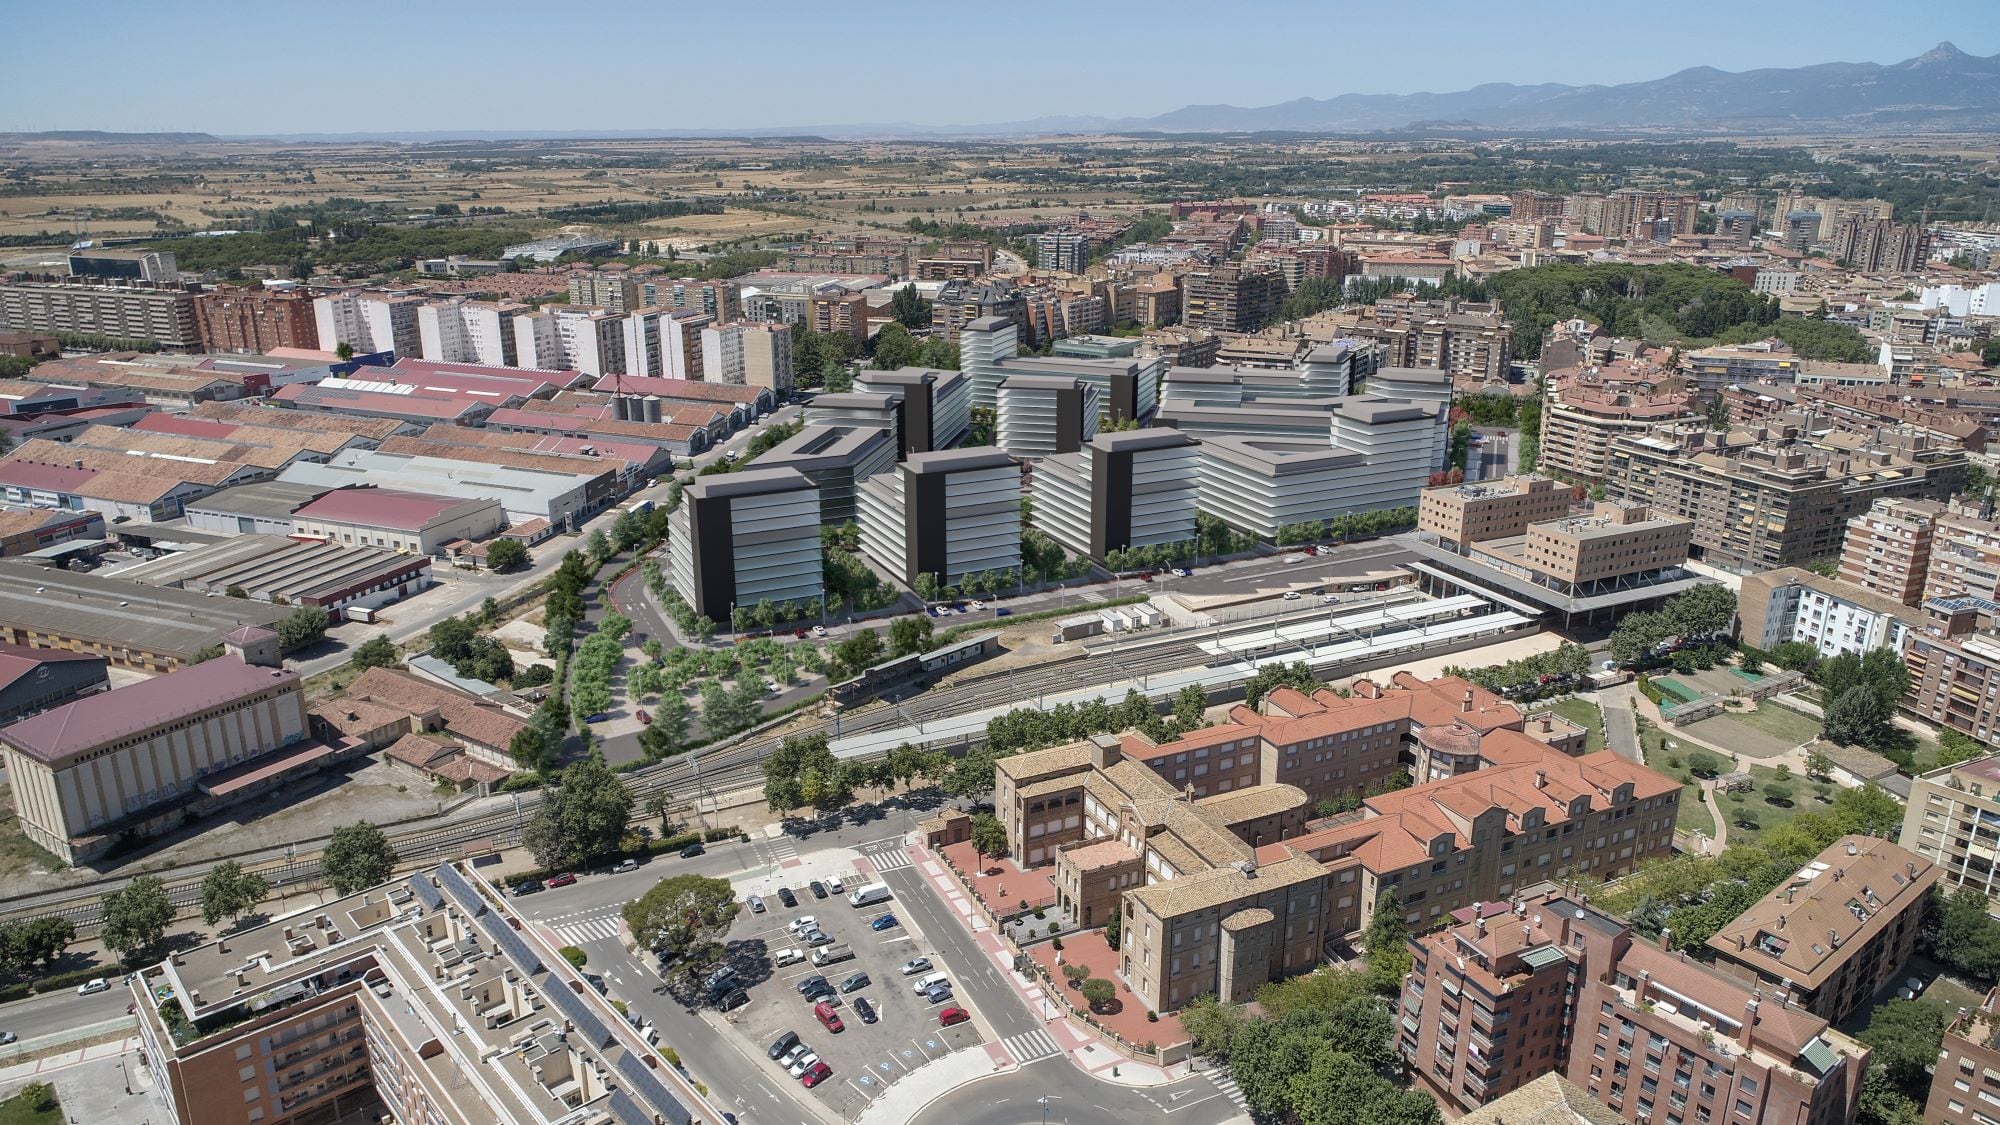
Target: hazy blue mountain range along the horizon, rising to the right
x,y
1939,91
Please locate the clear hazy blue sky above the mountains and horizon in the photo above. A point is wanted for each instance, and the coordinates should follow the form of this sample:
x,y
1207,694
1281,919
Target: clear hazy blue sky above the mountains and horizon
x,y
497,65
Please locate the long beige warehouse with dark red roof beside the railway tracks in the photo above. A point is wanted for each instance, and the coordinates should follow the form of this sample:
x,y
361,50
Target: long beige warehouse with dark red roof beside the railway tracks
x,y
103,774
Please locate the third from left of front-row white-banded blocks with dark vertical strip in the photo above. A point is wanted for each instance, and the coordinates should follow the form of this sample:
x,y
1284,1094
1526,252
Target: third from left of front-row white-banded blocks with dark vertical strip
x,y
1119,491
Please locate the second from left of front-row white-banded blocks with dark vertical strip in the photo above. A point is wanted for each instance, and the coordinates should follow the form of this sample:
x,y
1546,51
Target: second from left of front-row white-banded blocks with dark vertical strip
x,y
945,513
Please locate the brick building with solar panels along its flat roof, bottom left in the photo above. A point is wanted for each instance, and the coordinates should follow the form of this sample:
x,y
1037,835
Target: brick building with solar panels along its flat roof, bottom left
x,y
425,1000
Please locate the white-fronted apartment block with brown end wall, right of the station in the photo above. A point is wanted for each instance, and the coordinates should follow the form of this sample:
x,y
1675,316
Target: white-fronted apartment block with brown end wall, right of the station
x,y
1833,616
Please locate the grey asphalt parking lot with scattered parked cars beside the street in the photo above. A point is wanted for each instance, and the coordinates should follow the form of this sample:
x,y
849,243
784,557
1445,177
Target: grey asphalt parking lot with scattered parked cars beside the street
x,y
865,1058
